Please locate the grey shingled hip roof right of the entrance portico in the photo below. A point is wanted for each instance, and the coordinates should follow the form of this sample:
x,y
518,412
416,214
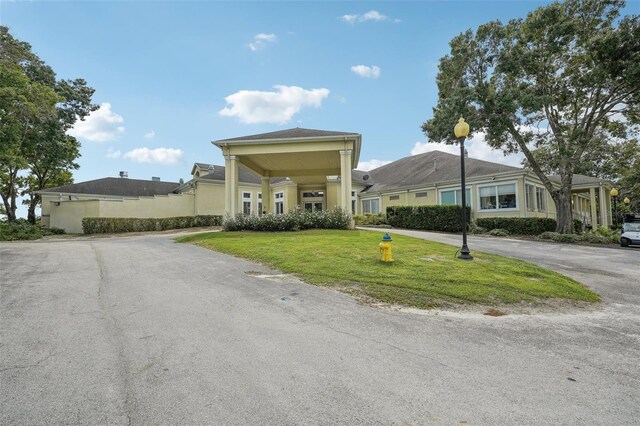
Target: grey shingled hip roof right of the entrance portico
x,y
429,168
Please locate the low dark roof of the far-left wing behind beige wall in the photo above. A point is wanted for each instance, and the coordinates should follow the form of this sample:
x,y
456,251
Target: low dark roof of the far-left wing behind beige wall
x,y
123,187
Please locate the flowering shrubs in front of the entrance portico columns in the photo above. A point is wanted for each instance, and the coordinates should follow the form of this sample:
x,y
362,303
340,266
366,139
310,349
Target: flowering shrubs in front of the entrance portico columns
x,y
295,220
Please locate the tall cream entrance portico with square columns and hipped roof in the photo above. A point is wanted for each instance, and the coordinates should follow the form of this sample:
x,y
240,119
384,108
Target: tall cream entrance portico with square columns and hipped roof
x,y
306,157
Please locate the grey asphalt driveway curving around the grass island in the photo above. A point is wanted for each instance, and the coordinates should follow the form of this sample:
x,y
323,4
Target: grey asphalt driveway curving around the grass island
x,y
141,330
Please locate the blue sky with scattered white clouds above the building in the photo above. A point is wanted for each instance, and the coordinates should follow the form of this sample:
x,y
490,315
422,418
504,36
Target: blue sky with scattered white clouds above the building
x,y
172,76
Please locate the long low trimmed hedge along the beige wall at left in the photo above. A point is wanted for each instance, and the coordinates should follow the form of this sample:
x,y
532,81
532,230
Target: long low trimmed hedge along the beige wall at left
x,y
104,225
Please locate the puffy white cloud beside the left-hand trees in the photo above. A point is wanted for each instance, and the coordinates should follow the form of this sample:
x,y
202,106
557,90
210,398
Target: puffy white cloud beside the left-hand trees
x,y
101,125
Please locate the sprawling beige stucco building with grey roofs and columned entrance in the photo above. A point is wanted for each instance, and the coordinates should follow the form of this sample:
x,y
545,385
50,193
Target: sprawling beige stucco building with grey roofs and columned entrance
x,y
316,170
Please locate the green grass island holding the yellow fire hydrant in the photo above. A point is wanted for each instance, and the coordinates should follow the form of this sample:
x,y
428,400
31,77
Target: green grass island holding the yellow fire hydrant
x,y
349,260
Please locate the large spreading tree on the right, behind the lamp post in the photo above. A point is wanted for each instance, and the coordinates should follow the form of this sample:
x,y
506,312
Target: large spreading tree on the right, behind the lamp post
x,y
556,86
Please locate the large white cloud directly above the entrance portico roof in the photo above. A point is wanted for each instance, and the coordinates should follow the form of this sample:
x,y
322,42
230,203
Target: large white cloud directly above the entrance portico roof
x,y
252,106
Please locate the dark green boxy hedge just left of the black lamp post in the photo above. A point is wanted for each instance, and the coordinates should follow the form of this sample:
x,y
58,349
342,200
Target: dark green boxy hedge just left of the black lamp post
x,y
429,218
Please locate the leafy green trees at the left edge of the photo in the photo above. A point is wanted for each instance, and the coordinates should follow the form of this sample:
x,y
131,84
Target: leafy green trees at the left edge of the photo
x,y
36,111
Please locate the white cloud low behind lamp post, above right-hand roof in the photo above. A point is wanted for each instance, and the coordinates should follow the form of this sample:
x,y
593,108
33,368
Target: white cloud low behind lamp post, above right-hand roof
x,y
476,147
